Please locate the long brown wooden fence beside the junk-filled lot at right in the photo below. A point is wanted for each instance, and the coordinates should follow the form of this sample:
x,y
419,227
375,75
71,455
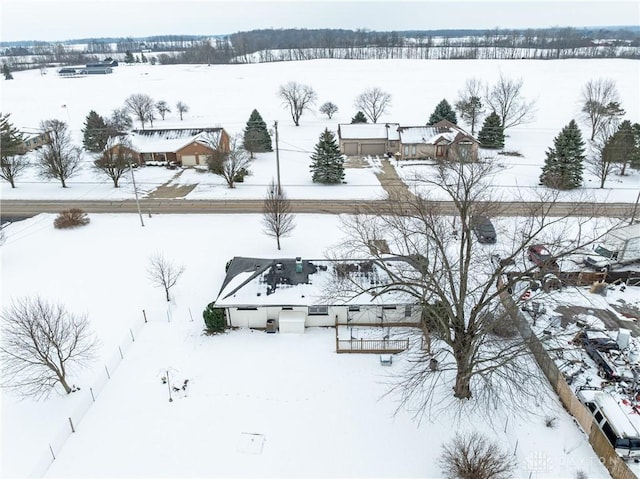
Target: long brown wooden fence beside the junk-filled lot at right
x,y
600,444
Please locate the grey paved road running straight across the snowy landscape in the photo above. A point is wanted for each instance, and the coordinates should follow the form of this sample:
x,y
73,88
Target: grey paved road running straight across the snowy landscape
x,y
25,208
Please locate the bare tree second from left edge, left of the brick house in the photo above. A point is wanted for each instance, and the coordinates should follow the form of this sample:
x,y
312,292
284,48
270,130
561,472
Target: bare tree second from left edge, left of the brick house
x,y
58,158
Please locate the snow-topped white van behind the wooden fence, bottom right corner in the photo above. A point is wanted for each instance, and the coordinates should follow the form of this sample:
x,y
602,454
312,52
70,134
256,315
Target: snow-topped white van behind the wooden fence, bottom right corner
x,y
622,428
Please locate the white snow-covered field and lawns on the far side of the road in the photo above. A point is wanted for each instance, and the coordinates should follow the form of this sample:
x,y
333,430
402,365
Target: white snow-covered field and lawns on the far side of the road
x,y
225,95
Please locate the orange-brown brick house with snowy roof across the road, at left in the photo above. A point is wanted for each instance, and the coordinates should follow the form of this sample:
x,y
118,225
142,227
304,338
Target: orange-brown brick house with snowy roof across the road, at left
x,y
185,146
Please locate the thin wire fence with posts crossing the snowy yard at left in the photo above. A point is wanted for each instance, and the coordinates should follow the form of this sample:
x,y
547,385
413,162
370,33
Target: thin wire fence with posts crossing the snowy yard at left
x,y
84,398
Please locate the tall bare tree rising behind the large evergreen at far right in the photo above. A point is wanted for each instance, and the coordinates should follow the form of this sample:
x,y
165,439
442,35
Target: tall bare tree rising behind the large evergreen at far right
x,y
600,104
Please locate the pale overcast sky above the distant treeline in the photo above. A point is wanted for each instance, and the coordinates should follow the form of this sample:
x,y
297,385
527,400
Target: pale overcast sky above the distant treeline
x,y
57,20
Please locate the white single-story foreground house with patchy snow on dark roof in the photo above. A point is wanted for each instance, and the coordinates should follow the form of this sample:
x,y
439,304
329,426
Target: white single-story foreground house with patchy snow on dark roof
x,y
293,293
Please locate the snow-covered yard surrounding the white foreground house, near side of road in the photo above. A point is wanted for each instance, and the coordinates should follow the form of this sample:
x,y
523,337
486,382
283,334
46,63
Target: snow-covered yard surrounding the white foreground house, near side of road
x,y
256,404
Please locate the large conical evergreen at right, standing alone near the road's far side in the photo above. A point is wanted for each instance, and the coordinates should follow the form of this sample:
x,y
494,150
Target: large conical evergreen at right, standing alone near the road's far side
x,y
563,166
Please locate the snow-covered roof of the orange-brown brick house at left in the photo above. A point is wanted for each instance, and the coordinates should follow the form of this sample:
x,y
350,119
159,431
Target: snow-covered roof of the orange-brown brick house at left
x,y
172,140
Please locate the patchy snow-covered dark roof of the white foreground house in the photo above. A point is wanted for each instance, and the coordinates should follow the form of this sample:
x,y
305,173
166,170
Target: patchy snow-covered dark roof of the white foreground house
x,y
253,282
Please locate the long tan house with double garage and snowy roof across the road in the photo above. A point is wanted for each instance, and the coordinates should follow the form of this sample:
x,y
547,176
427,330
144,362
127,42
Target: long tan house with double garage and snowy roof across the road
x,y
444,140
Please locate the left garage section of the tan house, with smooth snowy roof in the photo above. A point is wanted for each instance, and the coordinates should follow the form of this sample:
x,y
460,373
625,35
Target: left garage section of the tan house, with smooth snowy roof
x,y
363,139
